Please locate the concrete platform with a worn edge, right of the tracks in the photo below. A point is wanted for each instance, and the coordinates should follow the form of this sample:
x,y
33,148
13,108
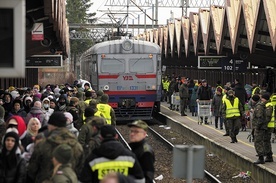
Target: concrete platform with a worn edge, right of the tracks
x,y
241,154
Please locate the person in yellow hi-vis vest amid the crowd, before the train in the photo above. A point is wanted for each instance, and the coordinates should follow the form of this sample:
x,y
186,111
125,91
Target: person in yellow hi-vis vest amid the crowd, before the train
x,y
107,110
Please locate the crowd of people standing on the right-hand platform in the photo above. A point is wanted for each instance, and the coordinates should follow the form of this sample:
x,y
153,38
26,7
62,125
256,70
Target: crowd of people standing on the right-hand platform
x,y
233,106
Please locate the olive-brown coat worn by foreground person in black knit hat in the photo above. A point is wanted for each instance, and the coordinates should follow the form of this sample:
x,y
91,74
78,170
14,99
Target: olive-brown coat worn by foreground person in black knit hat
x,y
41,167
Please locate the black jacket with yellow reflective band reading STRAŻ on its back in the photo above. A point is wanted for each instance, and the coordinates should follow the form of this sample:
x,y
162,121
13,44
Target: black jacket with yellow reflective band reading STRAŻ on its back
x,y
102,161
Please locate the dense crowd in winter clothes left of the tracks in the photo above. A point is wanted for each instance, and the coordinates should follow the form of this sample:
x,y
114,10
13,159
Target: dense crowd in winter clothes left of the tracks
x,y
67,134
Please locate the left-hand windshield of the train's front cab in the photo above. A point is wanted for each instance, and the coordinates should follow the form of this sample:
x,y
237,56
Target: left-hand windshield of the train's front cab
x,y
112,65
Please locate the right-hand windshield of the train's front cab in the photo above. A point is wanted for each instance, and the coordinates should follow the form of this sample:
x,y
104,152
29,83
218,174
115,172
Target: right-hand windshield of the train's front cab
x,y
141,65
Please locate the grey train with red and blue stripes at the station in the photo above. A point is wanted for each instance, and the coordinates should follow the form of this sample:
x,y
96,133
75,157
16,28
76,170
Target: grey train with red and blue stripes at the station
x,y
129,71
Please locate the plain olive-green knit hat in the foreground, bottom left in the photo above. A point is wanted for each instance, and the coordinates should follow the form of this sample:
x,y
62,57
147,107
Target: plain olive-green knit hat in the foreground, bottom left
x,y
63,153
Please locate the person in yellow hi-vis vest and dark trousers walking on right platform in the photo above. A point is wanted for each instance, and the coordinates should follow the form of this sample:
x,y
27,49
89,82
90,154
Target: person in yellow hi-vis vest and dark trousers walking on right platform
x,y
232,111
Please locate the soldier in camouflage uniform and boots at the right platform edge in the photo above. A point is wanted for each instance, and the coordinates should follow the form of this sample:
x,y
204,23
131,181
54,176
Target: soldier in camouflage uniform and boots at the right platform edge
x,y
261,117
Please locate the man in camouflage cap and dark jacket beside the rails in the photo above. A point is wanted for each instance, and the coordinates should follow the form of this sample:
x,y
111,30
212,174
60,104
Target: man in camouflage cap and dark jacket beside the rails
x,y
142,150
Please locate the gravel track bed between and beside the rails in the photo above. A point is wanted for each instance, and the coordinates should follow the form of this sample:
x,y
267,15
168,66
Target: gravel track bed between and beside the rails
x,y
163,164
